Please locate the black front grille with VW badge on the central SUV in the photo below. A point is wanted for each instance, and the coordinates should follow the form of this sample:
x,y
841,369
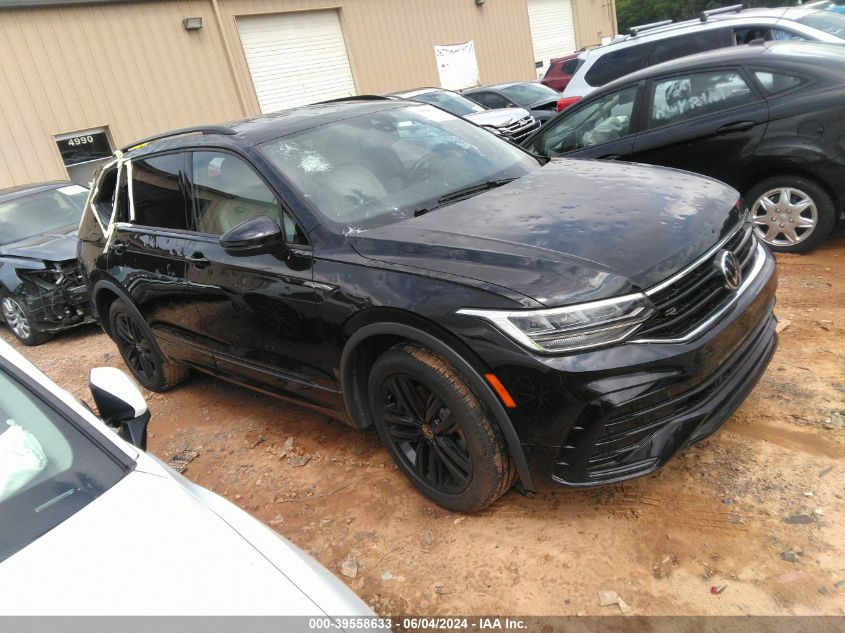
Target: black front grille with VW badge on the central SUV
x,y
682,305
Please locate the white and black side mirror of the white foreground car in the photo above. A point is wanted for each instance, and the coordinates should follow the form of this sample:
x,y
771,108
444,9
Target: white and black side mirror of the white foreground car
x,y
120,404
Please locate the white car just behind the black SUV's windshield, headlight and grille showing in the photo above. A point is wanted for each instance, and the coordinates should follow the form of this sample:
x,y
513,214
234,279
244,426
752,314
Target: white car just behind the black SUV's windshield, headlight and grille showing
x,y
515,124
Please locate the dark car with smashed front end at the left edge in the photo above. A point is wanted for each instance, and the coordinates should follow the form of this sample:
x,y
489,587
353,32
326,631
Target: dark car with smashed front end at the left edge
x,y
41,290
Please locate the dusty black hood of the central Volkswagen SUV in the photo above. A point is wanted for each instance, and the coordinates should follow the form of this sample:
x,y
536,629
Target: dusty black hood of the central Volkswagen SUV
x,y
572,231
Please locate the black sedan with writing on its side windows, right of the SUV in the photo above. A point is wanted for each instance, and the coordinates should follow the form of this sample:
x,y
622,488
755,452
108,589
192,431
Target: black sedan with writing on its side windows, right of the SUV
x,y
768,119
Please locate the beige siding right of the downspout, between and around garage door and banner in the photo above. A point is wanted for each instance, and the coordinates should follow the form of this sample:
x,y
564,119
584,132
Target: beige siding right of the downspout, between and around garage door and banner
x,y
391,42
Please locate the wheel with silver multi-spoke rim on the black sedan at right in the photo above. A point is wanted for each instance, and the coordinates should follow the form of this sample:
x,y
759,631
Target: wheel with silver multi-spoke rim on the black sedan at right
x,y
791,214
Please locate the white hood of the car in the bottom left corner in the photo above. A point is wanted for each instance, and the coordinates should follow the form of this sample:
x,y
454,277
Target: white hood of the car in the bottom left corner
x,y
152,546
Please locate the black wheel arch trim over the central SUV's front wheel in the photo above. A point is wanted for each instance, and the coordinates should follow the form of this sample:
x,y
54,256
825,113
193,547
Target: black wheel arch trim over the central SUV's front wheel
x,y
368,342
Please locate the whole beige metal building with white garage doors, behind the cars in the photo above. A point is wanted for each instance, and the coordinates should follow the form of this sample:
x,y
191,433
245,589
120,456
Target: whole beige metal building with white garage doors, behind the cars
x,y
80,78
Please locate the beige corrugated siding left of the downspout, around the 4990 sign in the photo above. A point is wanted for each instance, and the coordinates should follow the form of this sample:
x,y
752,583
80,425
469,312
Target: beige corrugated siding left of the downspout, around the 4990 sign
x,y
131,67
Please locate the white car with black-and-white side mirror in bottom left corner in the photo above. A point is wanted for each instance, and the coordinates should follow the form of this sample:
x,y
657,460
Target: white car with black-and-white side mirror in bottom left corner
x,y
81,506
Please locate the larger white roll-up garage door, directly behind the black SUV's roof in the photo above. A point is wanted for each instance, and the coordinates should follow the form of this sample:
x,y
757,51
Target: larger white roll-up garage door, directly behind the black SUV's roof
x,y
296,58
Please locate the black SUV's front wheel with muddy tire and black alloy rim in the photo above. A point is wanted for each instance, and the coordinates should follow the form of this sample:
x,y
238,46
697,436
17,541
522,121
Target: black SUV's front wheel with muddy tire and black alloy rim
x,y
437,431
